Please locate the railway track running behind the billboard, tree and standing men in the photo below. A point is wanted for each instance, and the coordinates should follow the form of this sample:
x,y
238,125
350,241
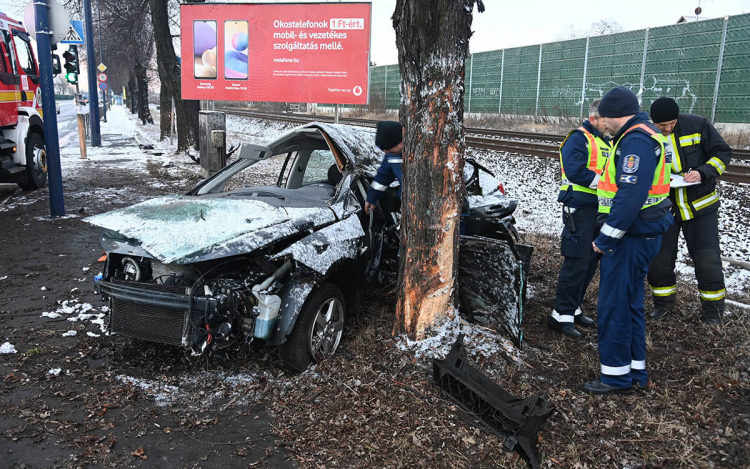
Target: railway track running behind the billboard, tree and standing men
x,y
521,143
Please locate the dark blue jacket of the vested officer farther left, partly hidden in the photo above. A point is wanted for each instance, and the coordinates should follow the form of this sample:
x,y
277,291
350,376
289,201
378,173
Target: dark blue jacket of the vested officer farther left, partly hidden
x,y
575,157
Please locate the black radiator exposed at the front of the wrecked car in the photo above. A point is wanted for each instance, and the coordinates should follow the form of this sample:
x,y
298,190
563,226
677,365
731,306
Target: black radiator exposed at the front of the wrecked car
x,y
149,322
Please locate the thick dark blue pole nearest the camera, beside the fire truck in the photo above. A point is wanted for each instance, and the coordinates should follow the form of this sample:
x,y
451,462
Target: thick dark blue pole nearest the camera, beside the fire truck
x,y
54,172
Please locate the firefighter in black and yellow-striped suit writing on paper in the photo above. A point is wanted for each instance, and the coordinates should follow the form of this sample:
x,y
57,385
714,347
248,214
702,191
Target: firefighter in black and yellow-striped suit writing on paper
x,y
700,155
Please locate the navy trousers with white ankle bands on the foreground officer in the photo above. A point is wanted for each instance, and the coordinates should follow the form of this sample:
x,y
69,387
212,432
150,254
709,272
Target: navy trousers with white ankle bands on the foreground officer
x,y
621,318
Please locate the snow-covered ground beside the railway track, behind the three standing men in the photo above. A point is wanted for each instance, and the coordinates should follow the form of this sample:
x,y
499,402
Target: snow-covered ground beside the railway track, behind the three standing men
x,y
535,183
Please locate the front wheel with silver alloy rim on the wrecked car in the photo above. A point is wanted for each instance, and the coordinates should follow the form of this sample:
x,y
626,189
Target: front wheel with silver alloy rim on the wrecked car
x,y
318,329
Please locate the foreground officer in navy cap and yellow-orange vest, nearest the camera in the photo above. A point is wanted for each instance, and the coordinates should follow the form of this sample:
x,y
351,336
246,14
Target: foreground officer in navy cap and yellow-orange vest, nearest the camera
x,y
634,207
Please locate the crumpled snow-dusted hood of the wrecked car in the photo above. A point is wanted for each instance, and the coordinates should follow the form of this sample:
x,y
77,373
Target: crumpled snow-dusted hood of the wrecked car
x,y
183,229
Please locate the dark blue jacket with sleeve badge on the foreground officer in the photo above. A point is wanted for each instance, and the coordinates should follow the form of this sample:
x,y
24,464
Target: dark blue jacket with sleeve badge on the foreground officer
x,y
633,184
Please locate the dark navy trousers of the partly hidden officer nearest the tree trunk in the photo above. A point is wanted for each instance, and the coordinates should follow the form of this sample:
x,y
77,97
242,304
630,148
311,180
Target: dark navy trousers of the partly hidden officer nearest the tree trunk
x,y
580,260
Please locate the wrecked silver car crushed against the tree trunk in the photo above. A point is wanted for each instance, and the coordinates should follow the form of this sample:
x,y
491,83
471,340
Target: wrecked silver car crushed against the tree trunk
x,y
229,263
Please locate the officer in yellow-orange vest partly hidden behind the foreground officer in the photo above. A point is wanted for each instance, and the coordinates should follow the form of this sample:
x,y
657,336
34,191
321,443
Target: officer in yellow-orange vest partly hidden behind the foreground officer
x,y
582,157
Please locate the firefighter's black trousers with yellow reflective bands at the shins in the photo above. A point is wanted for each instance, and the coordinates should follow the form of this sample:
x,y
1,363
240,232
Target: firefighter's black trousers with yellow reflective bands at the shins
x,y
702,238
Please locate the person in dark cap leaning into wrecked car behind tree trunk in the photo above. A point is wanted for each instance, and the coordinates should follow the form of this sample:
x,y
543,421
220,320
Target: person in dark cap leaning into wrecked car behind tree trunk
x,y
389,138
